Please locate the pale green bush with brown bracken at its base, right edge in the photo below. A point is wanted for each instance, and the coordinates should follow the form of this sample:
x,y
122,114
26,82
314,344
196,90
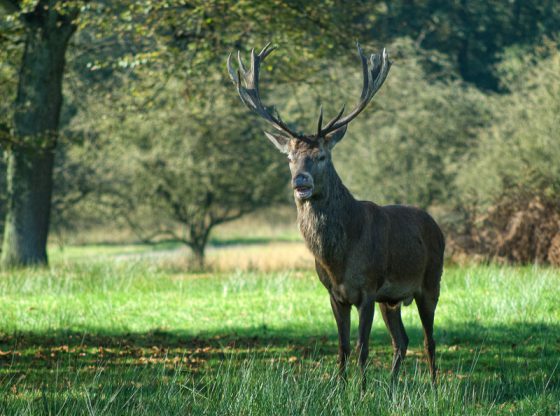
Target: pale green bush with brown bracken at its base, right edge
x,y
512,182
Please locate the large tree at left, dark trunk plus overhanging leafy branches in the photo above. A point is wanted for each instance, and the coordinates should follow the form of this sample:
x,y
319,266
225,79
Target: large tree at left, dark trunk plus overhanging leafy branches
x,y
175,35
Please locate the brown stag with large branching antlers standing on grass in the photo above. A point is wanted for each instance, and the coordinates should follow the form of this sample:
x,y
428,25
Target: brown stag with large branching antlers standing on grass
x,y
364,253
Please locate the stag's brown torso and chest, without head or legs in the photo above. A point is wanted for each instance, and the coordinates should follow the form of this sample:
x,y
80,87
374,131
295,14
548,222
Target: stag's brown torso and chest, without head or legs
x,y
367,252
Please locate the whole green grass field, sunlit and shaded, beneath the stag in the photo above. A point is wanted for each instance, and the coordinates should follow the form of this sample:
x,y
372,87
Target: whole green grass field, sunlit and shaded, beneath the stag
x,y
132,337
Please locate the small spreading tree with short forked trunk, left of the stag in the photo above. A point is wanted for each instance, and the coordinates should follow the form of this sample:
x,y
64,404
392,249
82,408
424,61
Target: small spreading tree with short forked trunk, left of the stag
x,y
187,170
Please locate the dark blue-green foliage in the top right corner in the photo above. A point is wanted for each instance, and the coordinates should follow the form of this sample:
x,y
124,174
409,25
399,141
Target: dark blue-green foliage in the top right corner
x,y
473,34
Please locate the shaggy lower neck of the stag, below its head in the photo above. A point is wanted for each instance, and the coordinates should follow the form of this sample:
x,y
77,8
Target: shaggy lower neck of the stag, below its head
x,y
324,220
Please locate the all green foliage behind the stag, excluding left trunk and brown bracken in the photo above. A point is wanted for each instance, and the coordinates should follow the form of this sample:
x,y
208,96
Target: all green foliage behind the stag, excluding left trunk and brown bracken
x,y
430,138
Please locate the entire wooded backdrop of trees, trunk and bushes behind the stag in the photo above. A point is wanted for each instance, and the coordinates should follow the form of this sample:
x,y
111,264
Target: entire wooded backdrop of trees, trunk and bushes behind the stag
x,y
145,139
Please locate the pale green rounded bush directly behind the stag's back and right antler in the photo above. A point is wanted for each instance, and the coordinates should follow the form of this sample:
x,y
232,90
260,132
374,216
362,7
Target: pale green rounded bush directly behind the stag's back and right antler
x,y
411,145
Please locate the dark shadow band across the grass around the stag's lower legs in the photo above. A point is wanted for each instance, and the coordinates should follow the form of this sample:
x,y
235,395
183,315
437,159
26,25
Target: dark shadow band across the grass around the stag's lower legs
x,y
515,362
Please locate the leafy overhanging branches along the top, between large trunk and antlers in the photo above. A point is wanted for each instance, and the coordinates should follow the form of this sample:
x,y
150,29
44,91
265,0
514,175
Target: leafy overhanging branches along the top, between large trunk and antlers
x,y
189,40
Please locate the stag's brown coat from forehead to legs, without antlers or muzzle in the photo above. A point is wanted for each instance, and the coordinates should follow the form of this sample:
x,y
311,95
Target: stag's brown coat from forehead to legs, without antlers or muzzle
x,y
366,253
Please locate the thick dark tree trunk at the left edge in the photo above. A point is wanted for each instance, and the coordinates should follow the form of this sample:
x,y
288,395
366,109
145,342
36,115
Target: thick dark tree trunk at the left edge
x,y
36,118
